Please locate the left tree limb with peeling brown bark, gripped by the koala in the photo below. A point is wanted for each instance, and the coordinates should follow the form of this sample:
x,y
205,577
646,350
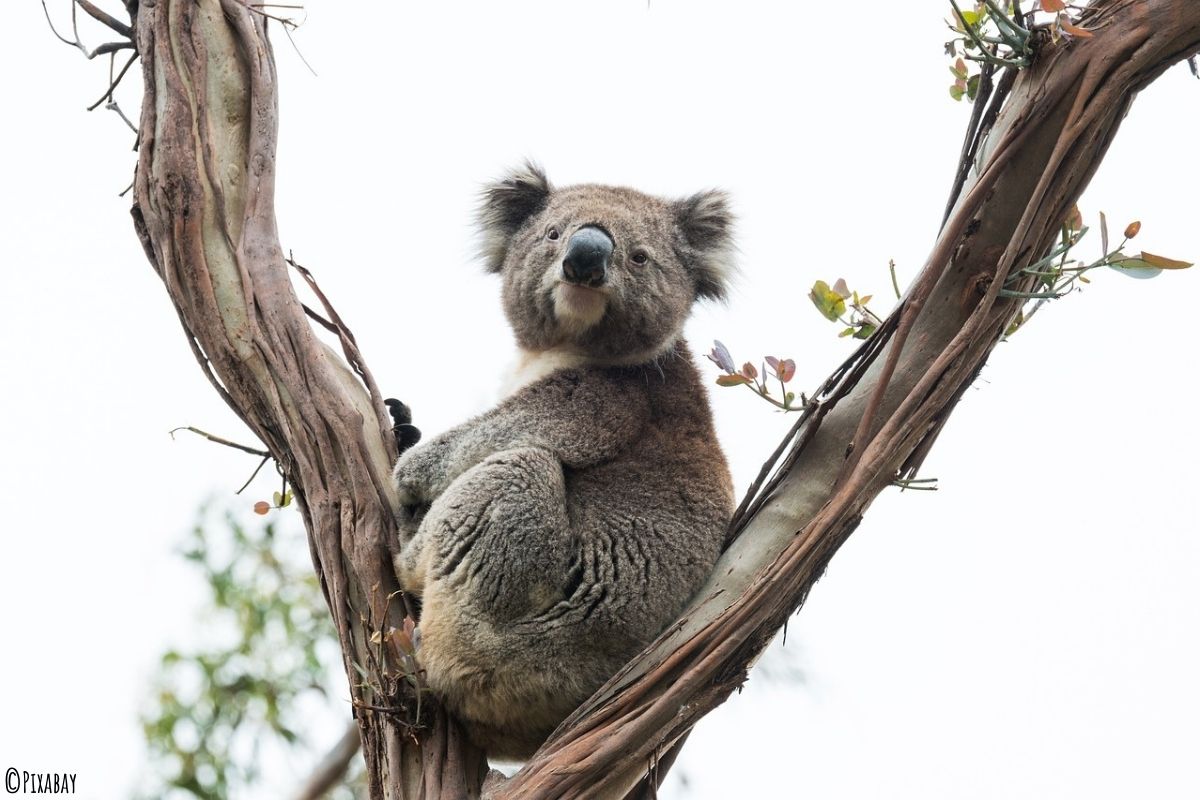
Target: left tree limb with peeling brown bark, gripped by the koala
x,y
205,212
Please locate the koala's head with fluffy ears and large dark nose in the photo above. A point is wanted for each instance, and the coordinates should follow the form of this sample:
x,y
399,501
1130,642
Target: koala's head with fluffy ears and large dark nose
x,y
601,270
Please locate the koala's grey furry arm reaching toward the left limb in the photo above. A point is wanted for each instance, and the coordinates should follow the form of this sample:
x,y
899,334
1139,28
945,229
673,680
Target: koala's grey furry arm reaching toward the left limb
x,y
584,418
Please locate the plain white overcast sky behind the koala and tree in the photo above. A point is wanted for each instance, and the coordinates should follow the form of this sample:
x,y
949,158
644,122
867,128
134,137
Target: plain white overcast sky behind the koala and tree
x,y
1029,631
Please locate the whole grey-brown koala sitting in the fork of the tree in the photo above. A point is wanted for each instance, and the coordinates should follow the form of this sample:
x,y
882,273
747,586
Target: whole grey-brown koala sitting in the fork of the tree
x,y
556,536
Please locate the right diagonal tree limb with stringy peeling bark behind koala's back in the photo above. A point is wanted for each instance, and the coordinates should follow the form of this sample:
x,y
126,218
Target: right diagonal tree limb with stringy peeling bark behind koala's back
x,y
1034,164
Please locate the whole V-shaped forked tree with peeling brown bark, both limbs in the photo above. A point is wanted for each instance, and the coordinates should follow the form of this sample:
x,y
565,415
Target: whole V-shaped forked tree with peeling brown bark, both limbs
x,y
205,210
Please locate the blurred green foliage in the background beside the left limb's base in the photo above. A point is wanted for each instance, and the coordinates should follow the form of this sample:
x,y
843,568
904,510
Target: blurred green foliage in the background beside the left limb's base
x,y
263,661
